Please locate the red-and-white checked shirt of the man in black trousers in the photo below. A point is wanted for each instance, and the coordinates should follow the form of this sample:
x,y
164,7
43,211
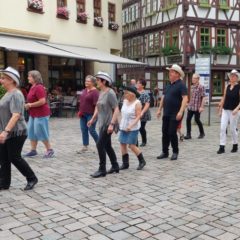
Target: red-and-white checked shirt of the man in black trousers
x,y
197,94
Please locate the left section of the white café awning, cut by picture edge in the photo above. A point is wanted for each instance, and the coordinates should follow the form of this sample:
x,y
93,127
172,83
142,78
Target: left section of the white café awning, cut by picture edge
x,y
32,46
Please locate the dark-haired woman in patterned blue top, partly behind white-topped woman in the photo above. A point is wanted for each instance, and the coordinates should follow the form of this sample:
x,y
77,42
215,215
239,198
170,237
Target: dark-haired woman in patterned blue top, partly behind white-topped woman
x,y
145,114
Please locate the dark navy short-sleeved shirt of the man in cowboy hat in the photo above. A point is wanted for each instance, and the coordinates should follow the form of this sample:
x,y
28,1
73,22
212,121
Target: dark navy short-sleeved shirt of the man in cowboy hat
x,y
173,98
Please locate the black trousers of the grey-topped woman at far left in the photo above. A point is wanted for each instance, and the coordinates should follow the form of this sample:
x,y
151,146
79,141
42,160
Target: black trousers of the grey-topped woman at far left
x,y
10,152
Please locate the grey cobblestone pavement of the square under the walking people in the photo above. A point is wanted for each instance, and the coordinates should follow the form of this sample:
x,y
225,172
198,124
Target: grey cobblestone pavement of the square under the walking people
x,y
196,197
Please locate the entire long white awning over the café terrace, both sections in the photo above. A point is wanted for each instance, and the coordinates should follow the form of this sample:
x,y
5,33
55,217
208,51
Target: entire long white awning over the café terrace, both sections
x,y
59,50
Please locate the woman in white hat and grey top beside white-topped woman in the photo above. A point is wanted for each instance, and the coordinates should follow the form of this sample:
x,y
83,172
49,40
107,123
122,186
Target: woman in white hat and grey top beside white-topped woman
x,y
107,111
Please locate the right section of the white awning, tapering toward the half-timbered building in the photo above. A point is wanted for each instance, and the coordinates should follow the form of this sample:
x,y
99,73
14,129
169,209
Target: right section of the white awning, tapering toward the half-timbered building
x,y
93,54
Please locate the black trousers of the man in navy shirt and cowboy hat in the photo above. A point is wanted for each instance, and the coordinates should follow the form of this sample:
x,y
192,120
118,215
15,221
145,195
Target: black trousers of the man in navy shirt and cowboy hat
x,y
169,134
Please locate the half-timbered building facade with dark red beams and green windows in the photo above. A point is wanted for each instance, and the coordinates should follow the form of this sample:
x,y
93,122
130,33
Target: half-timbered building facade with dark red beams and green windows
x,y
163,32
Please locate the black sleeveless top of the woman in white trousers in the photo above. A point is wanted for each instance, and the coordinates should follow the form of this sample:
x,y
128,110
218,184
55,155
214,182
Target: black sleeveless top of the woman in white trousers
x,y
232,97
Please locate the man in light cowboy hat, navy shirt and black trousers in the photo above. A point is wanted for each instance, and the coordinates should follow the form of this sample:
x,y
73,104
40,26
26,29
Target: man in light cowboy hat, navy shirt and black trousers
x,y
173,104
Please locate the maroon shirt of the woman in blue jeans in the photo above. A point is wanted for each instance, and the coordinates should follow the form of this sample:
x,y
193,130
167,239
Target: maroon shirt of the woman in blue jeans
x,y
88,101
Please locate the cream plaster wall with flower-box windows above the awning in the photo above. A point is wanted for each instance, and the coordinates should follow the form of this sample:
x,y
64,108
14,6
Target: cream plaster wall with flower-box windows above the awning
x,y
14,16
